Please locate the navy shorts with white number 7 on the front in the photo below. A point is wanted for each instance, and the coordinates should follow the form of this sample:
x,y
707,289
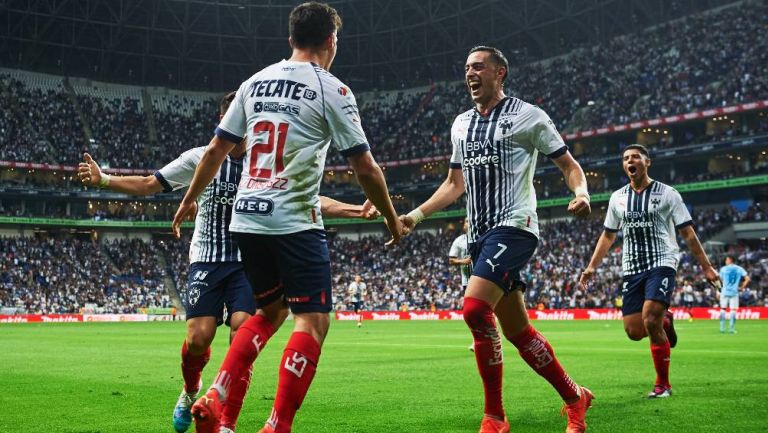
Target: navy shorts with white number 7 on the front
x,y
500,254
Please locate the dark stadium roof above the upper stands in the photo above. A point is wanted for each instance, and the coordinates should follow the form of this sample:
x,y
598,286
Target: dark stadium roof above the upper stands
x,y
214,45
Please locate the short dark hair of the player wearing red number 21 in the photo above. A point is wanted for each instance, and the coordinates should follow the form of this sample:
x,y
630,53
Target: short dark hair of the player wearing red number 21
x,y
310,24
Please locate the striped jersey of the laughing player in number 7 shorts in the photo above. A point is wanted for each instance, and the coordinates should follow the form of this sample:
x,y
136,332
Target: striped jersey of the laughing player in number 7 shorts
x,y
497,154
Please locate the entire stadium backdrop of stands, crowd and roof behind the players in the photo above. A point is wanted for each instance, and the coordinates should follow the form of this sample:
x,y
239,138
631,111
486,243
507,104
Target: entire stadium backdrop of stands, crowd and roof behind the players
x,y
137,82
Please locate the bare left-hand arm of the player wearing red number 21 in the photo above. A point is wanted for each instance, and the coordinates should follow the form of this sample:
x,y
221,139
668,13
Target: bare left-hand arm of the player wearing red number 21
x,y
209,164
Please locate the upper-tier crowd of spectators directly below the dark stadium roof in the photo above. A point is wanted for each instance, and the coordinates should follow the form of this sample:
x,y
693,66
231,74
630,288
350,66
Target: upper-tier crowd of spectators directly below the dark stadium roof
x,y
702,61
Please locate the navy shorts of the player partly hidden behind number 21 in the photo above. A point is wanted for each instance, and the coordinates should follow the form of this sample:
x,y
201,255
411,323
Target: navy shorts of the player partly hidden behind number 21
x,y
212,286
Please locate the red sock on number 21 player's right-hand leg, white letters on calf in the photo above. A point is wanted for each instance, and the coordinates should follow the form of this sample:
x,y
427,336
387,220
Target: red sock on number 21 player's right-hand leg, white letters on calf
x,y
297,369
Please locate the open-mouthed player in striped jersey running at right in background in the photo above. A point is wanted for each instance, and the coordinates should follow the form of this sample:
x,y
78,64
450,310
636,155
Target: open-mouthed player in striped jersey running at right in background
x,y
650,214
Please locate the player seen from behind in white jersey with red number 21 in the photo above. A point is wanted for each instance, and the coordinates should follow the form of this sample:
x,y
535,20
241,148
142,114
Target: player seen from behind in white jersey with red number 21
x,y
289,113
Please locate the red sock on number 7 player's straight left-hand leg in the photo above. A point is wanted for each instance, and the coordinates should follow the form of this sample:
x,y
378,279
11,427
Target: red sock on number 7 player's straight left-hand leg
x,y
481,321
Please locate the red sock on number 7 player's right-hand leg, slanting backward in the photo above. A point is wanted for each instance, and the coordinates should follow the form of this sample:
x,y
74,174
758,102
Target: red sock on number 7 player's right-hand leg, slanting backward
x,y
537,352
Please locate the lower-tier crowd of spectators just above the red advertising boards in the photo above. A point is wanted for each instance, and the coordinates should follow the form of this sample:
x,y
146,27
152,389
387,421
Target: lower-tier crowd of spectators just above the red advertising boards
x,y
67,275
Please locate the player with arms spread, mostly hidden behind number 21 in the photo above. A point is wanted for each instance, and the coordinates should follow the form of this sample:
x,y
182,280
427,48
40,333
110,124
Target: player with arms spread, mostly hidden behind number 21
x,y
216,275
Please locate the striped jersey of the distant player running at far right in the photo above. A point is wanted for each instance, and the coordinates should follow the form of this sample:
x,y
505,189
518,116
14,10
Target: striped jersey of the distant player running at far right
x,y
649,220
